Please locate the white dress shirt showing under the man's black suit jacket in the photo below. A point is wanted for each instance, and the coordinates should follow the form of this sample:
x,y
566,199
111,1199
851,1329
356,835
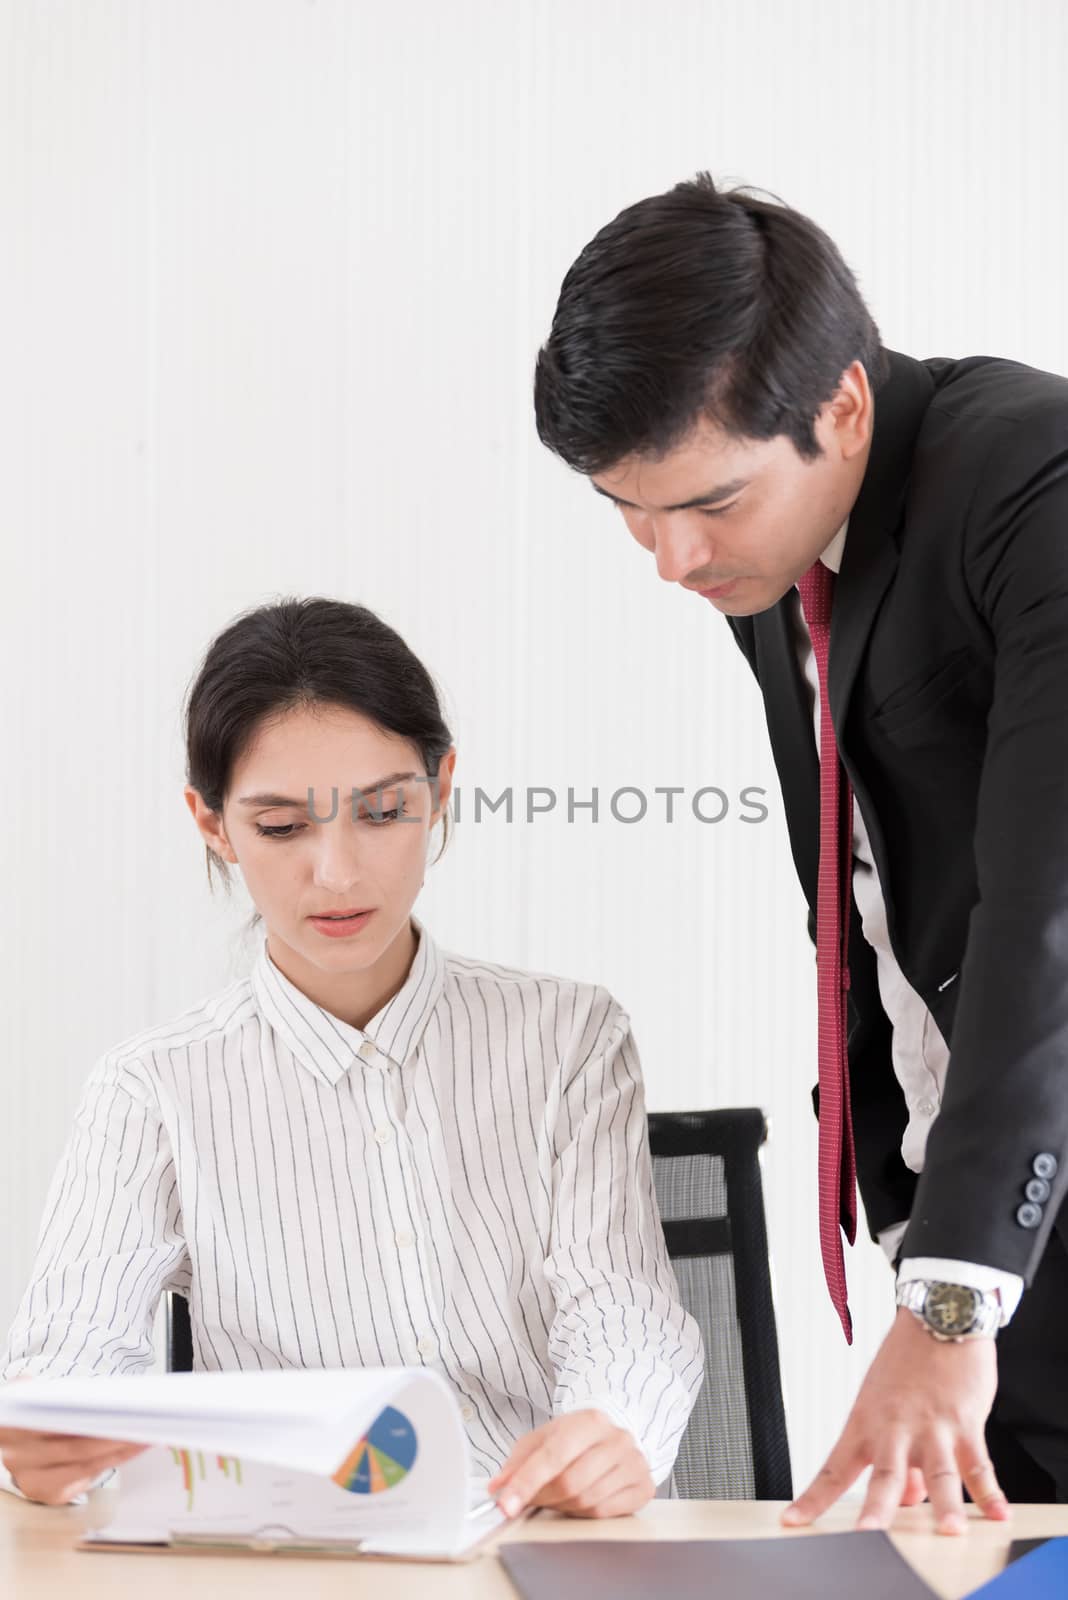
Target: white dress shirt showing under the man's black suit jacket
x,y
920,1054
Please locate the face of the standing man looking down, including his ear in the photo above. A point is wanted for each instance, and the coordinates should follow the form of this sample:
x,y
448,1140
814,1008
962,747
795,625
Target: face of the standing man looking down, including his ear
x,y
739,521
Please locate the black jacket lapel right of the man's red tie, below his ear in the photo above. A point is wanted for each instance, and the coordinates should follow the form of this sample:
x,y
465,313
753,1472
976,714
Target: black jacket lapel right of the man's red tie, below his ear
x,y
871,558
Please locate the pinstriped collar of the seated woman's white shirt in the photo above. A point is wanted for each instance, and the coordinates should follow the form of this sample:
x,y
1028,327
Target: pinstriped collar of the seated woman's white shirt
x,y
327,1046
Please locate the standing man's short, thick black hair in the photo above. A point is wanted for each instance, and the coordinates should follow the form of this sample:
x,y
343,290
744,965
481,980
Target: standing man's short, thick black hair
x,y
696,305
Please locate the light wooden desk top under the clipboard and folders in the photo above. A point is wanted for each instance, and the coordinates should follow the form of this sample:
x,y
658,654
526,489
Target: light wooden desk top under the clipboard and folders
x,y
38,1556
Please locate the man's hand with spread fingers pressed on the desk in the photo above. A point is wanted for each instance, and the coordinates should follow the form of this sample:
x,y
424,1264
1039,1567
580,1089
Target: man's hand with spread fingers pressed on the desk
x,y
919,1418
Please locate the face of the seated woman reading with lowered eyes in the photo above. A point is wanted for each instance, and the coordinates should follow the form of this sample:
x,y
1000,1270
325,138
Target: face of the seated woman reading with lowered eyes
x,y
367,852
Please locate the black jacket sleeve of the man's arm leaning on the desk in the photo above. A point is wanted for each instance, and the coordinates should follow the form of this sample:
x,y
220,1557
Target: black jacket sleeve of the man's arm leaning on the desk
x,y
1006,1094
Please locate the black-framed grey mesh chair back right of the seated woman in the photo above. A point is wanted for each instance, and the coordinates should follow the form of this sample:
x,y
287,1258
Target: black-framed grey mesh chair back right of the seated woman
x,y
706,1169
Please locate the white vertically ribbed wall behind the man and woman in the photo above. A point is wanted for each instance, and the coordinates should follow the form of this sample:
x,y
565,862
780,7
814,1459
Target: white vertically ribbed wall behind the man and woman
x,y
273,281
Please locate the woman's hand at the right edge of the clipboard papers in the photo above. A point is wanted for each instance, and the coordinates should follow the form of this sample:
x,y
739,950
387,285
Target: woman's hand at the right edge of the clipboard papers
x,y
581,1465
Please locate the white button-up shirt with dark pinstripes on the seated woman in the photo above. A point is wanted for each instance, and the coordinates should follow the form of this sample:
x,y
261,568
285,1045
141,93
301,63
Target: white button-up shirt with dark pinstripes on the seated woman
x,y
463,1185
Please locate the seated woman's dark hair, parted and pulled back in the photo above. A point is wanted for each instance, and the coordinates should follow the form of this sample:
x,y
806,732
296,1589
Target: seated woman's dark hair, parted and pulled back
x,y
297,655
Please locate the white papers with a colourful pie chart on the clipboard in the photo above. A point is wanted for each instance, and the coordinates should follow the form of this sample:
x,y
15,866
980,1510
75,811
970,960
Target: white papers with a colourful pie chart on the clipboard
x,y
369,1462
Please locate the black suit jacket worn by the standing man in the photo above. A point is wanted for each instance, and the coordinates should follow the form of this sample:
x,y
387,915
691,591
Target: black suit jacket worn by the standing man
x,y
949,689
